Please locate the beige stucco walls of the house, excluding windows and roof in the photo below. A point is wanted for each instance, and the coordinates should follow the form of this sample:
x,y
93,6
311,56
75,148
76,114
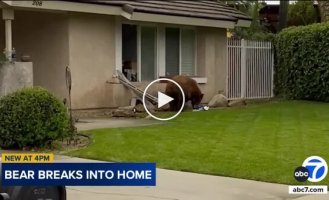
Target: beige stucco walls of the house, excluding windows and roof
x,y
86,43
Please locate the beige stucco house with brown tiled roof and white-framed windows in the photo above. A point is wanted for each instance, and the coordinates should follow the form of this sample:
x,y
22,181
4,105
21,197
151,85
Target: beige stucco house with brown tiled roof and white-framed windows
x,y
143,39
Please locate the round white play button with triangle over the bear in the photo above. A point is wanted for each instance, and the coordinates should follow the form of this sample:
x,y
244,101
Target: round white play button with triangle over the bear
x,y
162,99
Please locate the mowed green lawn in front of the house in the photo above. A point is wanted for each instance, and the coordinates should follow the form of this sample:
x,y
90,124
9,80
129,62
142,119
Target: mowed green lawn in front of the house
x,y
261,142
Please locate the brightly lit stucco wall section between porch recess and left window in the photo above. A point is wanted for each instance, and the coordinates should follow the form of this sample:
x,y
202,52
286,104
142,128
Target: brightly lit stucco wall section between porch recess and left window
x,y
92,62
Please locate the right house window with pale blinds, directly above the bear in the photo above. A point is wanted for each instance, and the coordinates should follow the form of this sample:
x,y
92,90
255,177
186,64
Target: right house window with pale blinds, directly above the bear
x,y
180,51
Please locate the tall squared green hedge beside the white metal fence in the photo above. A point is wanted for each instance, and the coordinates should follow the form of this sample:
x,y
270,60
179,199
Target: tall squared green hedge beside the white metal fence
x,y
302,62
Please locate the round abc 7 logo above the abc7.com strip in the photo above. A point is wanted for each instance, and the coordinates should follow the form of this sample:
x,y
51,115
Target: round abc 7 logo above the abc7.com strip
x,y
314,169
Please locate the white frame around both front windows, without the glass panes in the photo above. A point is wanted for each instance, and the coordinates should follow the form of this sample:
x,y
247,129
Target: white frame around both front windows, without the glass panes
x,y
160,68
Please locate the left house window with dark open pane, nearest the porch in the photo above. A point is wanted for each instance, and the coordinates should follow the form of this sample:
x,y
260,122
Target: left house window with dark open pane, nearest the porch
x,y
139,52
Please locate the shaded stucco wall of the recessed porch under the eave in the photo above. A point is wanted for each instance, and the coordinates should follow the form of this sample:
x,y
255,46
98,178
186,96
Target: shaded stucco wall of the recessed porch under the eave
x,y
43,36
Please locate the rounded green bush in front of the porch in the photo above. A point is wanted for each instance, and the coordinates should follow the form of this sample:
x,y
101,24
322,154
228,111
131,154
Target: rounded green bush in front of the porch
x,y
32,117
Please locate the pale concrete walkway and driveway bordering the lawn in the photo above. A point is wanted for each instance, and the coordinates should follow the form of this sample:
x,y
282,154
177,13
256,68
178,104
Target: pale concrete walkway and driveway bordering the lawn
x,y
174,185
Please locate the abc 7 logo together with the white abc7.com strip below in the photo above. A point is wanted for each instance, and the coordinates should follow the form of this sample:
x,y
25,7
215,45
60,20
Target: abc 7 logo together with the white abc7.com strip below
x,y
313,170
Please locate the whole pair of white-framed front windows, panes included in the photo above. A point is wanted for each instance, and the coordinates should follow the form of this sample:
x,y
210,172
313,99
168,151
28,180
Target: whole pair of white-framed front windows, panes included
x,y
144,60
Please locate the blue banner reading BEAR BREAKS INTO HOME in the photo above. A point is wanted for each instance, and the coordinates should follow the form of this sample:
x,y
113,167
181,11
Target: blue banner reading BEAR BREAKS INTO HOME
x,y
101,174
